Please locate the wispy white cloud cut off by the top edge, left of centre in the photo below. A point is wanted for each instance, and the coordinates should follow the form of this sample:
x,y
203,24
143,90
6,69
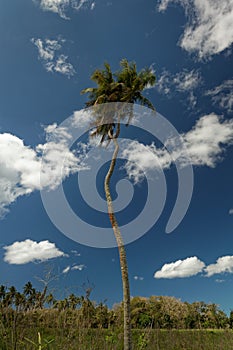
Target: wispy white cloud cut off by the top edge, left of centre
x,y
60,7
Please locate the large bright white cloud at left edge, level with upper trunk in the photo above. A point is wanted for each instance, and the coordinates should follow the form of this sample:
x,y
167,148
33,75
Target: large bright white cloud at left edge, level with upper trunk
x,y
21,170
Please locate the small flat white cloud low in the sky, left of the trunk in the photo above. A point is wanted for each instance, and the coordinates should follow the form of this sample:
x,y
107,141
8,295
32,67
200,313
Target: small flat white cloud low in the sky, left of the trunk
x,y
29,251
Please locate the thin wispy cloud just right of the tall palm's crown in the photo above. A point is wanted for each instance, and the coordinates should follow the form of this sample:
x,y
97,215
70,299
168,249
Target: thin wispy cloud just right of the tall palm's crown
x,y
185,82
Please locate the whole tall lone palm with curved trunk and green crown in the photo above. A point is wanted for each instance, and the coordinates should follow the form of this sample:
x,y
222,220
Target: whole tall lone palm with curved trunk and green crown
x,y
126,85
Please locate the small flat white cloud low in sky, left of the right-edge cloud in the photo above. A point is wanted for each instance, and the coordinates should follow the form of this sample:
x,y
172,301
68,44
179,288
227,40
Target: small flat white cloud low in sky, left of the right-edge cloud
x,y
181,268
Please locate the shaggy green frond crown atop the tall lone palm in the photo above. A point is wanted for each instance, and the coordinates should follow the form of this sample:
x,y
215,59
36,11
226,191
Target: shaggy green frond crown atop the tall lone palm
x,y
125,85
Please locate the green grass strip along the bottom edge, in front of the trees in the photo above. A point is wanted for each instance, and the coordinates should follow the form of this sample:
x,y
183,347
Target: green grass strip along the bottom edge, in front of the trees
x,y
96,339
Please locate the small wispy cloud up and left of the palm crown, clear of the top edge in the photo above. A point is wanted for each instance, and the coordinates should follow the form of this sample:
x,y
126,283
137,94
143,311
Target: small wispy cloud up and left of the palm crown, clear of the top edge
x,y
52,61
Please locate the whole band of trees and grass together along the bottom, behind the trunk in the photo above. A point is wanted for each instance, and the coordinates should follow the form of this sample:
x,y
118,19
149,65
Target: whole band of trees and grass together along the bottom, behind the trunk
x,y
76,322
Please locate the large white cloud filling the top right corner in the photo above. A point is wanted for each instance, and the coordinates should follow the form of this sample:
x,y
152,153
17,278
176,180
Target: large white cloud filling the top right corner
x,y
210,27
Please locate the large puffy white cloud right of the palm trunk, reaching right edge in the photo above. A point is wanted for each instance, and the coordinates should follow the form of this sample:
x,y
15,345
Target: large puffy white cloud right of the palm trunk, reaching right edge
x,y
203,145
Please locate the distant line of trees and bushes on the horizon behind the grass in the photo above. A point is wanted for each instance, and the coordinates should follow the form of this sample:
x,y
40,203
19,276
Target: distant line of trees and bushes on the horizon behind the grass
x,y
36,307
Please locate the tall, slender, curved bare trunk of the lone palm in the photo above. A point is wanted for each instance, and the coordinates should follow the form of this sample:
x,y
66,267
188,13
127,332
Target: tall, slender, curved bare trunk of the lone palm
x,y
122,253
